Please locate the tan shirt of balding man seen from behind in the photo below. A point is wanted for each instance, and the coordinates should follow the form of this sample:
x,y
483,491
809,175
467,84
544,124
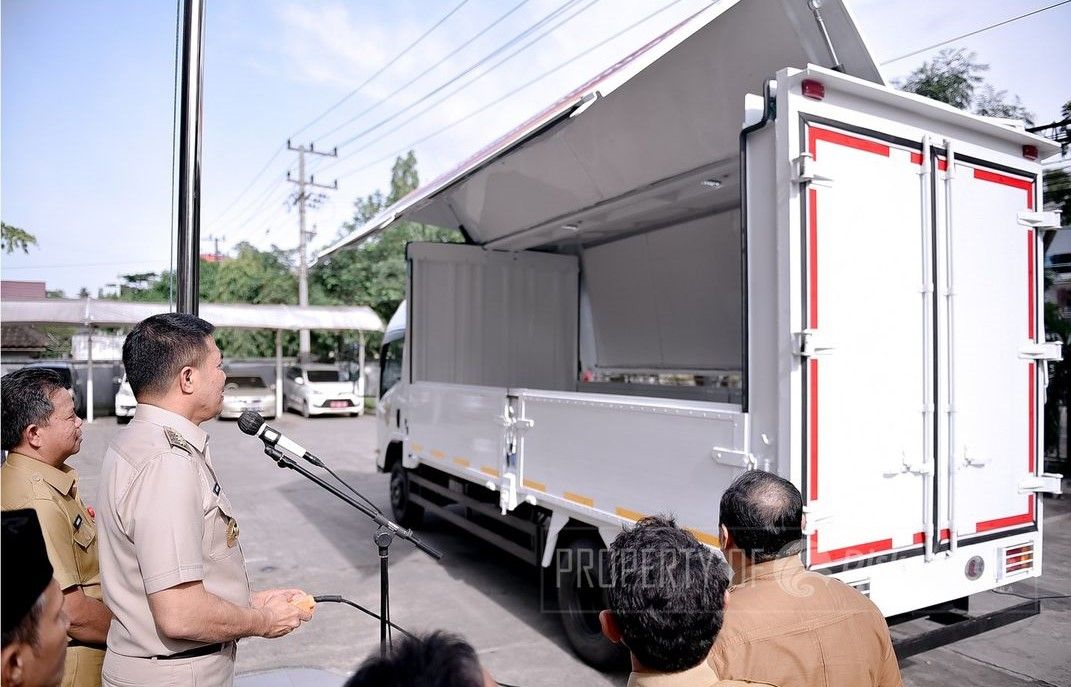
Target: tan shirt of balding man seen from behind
x,y
793,628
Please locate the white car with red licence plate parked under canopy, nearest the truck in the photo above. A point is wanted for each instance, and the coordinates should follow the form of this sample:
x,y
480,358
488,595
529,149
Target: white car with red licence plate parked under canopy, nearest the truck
x,y
323,390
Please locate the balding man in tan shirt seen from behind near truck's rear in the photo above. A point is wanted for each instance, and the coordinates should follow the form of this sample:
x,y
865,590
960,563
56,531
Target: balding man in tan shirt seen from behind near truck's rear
x,y
786,624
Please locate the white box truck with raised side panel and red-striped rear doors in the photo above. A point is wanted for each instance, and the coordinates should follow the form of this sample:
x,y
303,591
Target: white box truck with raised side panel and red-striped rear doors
x,y
736,249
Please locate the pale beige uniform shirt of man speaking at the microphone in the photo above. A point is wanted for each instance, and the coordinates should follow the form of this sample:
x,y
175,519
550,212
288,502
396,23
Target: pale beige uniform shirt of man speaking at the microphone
x,y
164,520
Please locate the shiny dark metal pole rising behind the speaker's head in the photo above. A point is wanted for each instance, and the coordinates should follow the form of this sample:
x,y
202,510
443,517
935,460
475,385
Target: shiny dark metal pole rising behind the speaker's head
x,y
190,151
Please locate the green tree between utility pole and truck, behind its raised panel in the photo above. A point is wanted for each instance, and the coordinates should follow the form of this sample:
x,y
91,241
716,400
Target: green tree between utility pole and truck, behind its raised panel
x,y
374,274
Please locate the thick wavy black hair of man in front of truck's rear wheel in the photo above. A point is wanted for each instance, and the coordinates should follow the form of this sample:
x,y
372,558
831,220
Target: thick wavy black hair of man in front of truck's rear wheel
x,y
668,594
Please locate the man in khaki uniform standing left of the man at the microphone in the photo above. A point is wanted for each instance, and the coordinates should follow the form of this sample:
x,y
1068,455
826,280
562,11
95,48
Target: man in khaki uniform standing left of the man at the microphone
x,y
42,431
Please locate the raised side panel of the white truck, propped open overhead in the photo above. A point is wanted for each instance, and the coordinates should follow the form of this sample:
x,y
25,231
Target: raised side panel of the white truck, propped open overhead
x,y
627,146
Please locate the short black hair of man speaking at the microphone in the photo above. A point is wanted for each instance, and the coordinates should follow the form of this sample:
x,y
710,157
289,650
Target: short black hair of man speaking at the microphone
x,y
160,347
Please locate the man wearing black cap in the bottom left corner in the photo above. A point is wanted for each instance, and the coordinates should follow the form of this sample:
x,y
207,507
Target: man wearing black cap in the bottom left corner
x,y
35,624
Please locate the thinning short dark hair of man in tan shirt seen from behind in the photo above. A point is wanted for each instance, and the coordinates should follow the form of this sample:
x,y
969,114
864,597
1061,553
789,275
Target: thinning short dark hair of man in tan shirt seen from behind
x,y
765,515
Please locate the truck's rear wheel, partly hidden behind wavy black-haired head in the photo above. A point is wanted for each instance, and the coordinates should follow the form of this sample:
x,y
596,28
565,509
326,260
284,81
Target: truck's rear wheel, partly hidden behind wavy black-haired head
x,y
581,577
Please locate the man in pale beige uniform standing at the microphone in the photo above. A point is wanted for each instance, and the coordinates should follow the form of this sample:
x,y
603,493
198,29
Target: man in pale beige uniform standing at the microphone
x,y
174,571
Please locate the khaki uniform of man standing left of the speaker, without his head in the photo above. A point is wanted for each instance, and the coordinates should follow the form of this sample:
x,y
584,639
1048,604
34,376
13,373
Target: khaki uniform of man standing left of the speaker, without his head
x,y
70,539
